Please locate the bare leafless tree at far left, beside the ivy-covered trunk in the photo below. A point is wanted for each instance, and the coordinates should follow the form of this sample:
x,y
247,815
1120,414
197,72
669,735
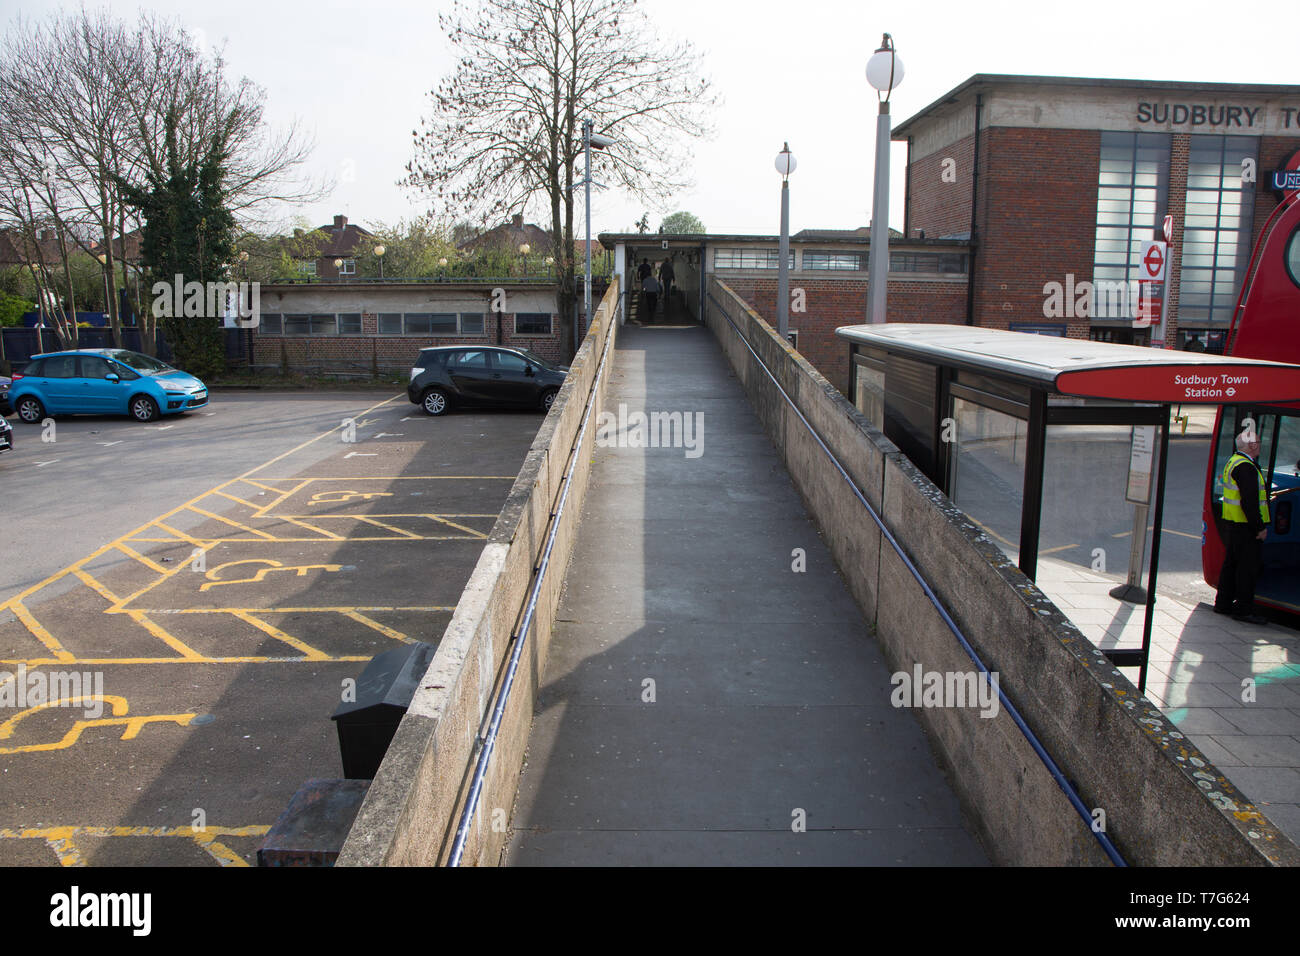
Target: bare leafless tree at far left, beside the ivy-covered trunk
x,y
86,101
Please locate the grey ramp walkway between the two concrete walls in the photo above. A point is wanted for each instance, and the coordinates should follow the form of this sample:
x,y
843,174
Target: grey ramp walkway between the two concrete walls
x,y
707,702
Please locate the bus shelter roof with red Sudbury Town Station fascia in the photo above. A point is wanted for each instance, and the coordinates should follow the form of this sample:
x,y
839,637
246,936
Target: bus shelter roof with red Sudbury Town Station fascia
x,y
1086,369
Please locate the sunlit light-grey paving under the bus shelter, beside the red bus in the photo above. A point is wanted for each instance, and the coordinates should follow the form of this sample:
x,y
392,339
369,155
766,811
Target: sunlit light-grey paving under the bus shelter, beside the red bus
x,y
1233,689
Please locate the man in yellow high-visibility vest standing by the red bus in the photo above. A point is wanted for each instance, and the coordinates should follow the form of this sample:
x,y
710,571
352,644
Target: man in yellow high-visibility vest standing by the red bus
x,y
1246,514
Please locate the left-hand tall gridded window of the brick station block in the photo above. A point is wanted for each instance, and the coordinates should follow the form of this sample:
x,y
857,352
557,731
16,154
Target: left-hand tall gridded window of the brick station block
x,y
1133,192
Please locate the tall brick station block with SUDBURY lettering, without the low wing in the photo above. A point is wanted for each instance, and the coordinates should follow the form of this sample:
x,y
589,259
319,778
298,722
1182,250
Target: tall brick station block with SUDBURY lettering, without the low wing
x,y
1058,181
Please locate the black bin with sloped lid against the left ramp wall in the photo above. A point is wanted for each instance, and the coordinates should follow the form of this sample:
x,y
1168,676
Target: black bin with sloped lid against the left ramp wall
x,y
384,693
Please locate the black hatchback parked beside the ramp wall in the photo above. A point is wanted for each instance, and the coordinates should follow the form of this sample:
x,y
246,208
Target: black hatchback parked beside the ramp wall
x,y
450,377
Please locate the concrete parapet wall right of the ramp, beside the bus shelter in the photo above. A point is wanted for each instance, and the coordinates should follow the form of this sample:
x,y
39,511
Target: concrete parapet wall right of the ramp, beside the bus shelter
x,y
1164,803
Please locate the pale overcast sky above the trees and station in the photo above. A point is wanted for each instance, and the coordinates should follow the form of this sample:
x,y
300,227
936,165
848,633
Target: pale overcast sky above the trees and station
x,y
358,77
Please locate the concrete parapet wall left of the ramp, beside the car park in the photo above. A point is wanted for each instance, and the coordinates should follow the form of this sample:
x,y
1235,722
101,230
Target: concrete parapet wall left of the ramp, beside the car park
x,y
414,806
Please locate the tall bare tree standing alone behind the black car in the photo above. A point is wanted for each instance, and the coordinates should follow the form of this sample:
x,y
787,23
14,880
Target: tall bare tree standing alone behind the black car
x,y
508,126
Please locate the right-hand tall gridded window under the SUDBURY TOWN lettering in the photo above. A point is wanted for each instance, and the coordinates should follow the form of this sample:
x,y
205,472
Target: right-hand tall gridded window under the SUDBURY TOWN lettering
x,y
1217,226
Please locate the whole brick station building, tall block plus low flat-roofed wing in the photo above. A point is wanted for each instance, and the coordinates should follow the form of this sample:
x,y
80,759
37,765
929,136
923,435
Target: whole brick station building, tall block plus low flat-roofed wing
x,y
1028,202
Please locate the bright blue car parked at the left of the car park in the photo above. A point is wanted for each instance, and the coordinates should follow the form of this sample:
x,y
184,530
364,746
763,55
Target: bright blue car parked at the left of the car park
x,y
103,382
